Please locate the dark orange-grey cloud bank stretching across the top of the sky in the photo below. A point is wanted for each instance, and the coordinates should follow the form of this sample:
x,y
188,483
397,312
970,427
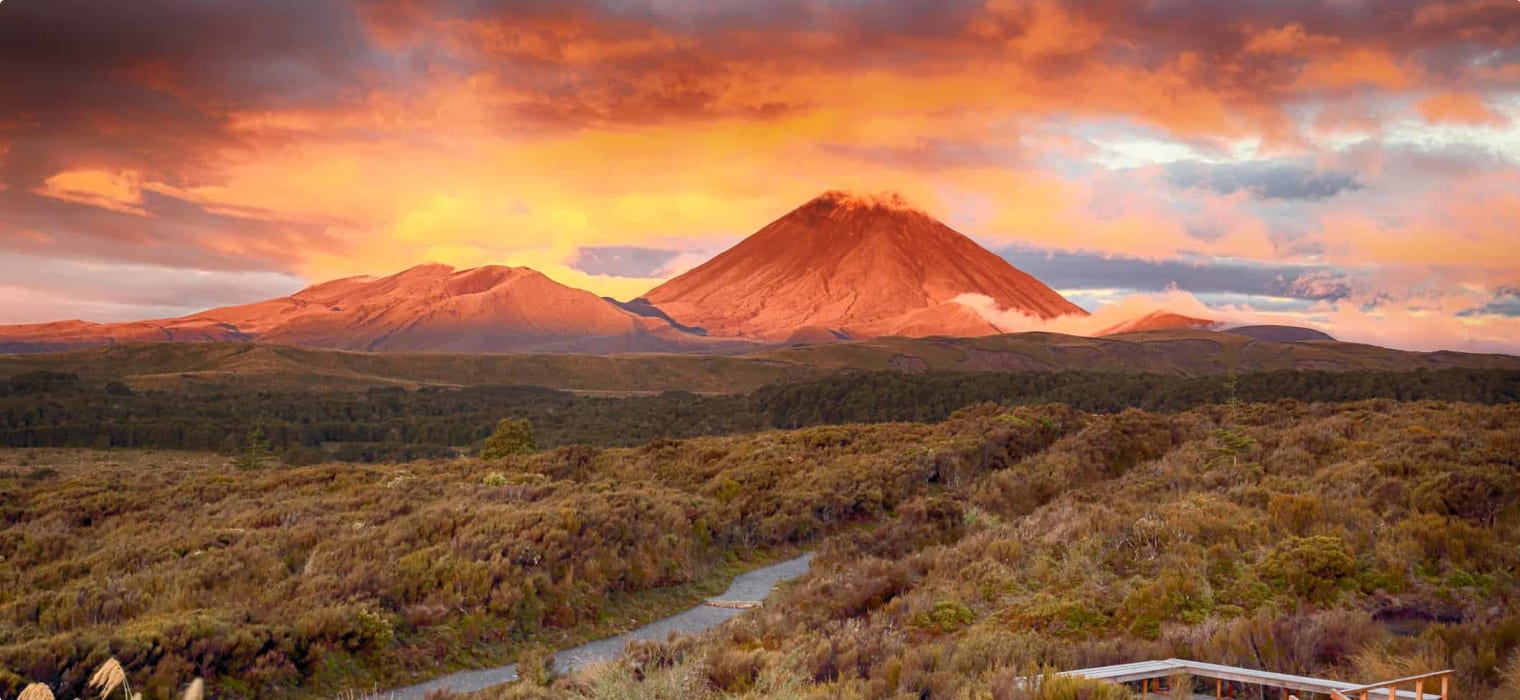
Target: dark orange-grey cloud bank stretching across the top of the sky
x,y
150,84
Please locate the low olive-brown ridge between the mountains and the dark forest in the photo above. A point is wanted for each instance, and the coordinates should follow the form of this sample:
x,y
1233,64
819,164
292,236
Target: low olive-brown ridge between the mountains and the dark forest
x,y
1173,353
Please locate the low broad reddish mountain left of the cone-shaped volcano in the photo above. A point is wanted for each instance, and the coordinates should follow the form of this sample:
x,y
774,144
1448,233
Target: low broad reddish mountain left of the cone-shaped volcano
x,y
429,307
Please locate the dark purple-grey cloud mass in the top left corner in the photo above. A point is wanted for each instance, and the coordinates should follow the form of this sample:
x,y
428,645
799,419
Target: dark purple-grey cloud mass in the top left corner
x,y
150,84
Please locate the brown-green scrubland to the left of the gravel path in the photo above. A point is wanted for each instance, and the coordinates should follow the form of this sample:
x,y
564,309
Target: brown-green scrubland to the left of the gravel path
x,y
300,581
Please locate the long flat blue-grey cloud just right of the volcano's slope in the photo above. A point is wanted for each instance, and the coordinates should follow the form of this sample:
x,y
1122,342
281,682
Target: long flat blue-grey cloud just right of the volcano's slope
x,y
1085,271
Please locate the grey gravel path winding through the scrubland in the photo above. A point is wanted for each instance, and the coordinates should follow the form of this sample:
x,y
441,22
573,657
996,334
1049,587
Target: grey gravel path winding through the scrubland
x,y
752,587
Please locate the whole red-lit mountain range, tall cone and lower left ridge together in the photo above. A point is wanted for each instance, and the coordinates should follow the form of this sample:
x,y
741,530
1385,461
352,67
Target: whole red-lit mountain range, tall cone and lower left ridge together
x,y
838,268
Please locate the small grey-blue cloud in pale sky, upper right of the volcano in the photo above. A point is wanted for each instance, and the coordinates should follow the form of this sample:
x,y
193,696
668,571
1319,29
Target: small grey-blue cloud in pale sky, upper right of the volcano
x,y
1262,180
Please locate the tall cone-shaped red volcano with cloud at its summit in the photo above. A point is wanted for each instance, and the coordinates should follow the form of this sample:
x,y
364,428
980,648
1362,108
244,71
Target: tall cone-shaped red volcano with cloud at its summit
x,y
852,266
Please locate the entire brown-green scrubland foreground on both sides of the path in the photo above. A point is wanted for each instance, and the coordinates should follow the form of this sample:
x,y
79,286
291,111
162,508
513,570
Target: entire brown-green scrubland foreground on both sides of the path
x,y
1354,541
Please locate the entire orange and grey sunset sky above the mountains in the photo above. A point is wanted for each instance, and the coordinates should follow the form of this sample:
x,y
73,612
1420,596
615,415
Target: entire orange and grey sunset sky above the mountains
x,y
1347,165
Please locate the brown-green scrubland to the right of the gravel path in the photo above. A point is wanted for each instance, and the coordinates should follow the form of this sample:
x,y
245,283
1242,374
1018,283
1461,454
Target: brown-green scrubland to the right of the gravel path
x,y
1363,543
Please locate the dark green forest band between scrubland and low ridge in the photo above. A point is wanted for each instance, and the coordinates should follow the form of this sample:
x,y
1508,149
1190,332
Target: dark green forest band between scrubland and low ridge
x,y
59,409
